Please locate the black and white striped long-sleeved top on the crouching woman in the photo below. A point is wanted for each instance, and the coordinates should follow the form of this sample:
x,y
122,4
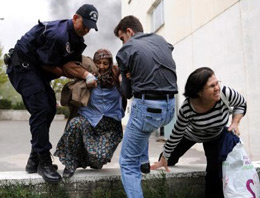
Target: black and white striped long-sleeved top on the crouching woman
x,y
203,127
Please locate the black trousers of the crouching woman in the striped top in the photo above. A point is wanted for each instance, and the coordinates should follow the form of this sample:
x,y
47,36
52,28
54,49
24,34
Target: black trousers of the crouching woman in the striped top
x,y
214,188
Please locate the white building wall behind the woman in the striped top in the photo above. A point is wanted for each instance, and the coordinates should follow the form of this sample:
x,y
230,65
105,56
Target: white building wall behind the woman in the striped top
x,y
221,34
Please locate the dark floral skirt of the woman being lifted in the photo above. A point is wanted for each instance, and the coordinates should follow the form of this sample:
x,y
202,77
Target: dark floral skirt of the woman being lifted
x,y
82,145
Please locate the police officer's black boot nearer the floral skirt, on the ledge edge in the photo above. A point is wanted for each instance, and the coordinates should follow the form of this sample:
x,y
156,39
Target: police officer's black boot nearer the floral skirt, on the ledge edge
x,y
46,169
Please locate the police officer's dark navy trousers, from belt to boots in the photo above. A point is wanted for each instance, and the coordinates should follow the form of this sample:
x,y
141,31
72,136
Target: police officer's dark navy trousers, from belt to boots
x,y
40,101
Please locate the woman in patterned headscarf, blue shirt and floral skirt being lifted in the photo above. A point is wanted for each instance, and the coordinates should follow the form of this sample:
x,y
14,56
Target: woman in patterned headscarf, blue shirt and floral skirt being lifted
x,y
91,138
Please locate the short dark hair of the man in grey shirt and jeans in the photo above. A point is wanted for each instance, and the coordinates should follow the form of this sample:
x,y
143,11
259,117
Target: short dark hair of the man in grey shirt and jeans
x,y
129,22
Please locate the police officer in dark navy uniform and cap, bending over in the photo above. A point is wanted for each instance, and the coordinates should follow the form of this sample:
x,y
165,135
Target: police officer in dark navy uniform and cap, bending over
x,y
37,58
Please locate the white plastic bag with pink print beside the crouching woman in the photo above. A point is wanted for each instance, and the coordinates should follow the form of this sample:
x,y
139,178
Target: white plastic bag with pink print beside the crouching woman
x,y
240,179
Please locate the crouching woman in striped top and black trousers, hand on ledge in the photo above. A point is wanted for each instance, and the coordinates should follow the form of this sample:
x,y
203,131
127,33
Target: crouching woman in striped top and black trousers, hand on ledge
x,y
202,118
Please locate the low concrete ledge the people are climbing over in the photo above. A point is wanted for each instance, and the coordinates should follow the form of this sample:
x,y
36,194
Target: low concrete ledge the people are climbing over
x,y
182,181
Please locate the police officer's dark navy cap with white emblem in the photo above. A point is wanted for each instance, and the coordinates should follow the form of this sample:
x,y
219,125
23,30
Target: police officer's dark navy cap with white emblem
x,y
90,15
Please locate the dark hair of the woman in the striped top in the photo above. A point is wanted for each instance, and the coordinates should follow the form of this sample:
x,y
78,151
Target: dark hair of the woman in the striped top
x,y
196,81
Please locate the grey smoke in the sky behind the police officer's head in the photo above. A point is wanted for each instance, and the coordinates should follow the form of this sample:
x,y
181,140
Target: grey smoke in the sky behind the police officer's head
x,y
109,16
